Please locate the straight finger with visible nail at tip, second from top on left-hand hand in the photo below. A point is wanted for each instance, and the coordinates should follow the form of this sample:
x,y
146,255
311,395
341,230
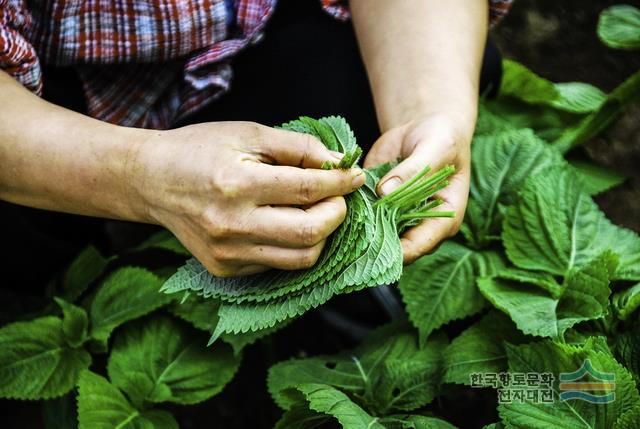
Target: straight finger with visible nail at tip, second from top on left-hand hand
x,y
290,185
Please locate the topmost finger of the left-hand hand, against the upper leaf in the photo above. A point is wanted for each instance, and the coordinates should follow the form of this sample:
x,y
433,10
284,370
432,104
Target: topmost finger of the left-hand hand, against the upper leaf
x,y
296,150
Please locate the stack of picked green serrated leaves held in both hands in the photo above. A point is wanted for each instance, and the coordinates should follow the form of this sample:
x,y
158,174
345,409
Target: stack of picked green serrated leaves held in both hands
x,y
364,251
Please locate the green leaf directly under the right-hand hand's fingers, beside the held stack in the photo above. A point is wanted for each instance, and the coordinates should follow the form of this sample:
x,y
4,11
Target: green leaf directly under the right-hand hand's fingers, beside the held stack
x,y
441,287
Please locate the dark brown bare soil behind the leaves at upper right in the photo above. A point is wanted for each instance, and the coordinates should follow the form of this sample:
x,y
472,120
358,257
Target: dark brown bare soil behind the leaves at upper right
x,y
557,39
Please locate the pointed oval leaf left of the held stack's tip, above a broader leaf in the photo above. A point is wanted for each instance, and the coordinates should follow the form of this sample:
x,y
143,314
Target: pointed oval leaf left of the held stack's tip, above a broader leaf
x,y
126,294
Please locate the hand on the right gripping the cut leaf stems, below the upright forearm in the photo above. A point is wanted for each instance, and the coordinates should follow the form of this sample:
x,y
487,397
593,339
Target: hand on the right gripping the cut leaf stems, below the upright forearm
x,y
436,140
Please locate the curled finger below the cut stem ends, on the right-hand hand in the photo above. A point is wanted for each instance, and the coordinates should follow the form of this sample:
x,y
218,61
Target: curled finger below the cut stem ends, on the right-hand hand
x,y
426,236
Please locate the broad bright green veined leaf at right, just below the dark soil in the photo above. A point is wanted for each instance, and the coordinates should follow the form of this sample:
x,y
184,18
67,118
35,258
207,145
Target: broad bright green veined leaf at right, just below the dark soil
x,y
555,226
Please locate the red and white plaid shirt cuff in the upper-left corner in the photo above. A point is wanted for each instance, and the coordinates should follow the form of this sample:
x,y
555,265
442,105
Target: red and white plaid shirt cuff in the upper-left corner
x,y
18,57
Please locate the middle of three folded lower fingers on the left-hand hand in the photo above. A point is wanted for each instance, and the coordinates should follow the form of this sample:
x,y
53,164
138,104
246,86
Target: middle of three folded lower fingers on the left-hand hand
x,y
297,228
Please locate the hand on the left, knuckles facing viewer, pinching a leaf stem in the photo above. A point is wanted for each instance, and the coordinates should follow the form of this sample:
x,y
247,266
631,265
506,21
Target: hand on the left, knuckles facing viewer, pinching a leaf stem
x,y
229,192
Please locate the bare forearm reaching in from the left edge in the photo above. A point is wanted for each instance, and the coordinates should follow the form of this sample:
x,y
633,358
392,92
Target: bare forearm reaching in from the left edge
x,y
56,159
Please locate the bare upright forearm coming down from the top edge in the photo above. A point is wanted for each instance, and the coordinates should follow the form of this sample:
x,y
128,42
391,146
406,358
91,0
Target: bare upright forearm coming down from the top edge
x,y
422,56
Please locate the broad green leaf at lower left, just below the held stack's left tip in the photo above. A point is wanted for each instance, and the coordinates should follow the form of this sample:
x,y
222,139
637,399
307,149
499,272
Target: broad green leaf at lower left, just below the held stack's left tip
x,y
161,360
